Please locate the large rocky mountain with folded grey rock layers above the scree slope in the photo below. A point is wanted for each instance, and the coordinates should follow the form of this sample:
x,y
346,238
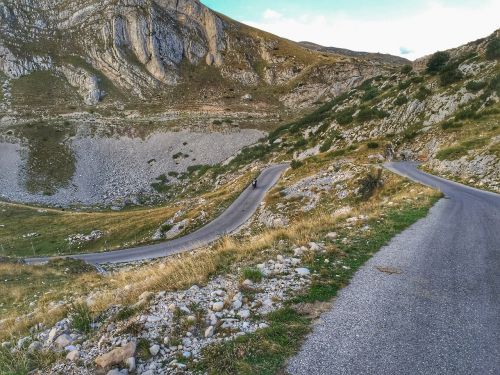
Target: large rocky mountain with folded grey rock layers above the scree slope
x,y
61,56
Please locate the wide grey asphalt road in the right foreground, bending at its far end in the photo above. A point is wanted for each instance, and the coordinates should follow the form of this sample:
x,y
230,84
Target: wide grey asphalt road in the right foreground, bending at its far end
x,y
440,315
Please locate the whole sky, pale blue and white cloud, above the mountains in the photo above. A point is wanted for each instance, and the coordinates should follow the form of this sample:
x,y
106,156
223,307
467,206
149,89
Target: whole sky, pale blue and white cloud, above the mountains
x,y
407,28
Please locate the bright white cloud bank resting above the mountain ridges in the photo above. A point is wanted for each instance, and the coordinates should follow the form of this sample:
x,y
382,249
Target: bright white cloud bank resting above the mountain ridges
x,y
434,27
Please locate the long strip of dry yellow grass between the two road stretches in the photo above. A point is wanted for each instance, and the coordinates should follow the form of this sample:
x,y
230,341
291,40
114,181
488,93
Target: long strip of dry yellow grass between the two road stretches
x,y
182,271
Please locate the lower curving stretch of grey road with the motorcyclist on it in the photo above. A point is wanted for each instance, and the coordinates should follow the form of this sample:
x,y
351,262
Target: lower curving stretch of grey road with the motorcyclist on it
x,y
236,215
